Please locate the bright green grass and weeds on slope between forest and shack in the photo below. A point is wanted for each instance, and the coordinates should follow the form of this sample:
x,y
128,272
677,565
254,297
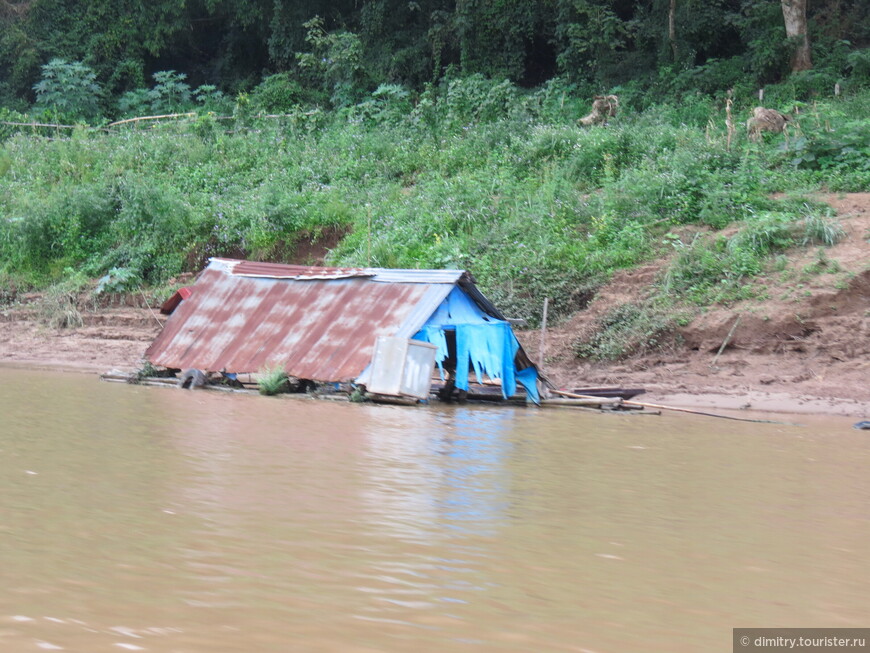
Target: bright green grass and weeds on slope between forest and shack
x,y
477,175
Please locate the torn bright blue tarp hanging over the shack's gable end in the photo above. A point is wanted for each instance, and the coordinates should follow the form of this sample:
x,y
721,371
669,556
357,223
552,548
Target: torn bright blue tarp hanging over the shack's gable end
x,y
484,343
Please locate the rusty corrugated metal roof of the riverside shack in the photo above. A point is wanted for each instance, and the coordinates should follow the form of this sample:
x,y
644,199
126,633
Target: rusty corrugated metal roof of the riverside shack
x,y
316,323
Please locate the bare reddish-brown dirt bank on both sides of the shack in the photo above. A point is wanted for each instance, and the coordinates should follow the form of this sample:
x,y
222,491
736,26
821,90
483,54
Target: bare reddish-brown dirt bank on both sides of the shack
x,y
803,346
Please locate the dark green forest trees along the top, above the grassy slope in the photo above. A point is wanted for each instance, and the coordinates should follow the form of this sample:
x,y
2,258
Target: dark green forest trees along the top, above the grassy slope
x,y
334,53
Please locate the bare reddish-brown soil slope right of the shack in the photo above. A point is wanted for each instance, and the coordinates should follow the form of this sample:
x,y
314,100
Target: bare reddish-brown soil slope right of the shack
x,y
804,347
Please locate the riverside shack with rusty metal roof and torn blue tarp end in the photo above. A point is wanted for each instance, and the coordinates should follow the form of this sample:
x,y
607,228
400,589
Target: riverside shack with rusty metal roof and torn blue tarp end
x,y
325,324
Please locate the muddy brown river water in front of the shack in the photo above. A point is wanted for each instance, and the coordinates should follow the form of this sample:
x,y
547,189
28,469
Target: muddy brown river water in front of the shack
x,y
150,519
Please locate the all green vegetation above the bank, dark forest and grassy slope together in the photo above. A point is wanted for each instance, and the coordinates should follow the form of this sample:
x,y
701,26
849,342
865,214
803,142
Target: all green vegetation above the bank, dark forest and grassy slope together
x,y
423,134
